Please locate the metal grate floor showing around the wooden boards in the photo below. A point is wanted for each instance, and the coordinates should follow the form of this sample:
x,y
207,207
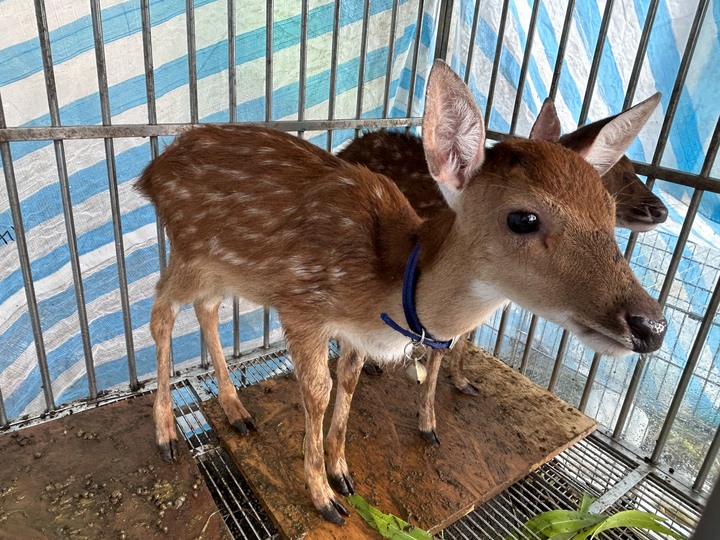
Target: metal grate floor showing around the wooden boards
x,y
591,466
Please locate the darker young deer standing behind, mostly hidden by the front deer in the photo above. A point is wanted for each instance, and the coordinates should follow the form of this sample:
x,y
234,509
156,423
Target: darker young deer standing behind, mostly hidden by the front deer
x,y
400,156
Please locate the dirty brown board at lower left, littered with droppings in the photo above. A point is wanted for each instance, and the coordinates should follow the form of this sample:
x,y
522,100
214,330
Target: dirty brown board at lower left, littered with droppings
x,y
97,474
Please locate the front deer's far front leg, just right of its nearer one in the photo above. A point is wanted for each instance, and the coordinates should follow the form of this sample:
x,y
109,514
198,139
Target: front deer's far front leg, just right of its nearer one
x,y
349,366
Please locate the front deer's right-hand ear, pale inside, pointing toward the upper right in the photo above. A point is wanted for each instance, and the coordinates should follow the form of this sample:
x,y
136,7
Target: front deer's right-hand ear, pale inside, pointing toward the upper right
x,y
616,135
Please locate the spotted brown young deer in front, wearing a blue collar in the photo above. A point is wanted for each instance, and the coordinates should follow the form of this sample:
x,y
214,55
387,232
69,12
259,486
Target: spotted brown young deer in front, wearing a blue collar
x,y
267,216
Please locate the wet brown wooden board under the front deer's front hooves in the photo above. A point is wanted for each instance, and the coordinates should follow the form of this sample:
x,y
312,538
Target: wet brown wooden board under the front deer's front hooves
x,y
487,443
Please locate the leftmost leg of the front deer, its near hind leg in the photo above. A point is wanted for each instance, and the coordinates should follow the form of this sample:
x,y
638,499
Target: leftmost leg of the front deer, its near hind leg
x,y
162,319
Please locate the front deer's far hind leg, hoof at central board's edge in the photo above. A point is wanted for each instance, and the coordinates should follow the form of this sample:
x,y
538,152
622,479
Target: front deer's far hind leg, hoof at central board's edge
x,y
206,310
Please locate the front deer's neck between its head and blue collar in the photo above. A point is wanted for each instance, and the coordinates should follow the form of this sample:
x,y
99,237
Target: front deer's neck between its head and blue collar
x,y
449,297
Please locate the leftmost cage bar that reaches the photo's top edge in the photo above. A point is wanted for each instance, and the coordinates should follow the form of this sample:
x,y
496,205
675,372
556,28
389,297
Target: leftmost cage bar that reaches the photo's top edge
x,y
65,196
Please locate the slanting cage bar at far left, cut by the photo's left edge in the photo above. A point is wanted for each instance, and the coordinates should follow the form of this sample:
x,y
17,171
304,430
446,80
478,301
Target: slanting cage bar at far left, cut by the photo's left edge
x,y
25,268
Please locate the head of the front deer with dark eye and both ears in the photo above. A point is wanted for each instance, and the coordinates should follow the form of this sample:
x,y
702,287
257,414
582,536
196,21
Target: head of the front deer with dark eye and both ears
x,y
536,222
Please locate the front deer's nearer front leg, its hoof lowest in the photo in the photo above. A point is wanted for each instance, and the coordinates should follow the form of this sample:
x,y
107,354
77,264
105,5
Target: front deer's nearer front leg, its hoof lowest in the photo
x,y
309,354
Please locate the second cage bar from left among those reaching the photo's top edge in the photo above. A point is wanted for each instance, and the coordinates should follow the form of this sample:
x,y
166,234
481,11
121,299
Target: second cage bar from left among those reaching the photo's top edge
x,y
113,189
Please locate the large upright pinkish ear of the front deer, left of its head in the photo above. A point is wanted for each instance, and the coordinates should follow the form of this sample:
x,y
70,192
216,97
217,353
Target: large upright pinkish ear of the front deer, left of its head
x,y
453,131
